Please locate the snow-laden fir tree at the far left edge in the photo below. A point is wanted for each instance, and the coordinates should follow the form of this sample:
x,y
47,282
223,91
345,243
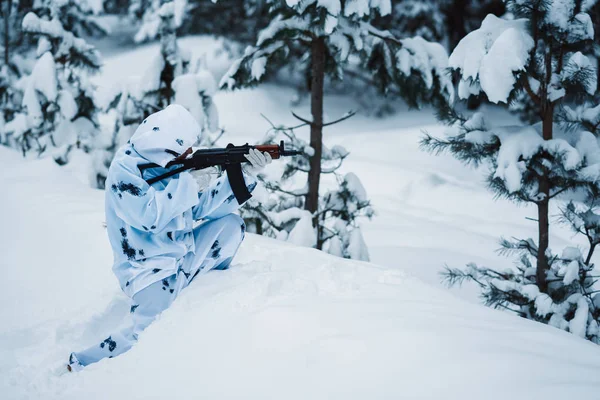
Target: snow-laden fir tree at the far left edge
x,y
58,111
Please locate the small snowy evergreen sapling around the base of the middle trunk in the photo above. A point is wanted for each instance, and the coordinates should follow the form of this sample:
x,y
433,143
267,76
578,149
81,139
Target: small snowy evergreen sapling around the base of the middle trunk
x,y
276,210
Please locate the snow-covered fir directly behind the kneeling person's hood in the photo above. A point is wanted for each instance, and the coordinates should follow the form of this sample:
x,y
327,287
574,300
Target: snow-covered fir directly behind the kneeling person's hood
x,y
170,78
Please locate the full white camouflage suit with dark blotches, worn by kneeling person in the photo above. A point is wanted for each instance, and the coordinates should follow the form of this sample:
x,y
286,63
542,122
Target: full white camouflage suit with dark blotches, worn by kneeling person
x,y
157,250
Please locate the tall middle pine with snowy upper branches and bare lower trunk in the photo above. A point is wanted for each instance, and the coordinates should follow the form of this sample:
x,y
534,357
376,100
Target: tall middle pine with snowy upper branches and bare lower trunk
x,y
318,40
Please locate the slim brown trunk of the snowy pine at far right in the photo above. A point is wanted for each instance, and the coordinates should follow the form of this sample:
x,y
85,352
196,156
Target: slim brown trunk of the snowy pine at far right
x,y
543,210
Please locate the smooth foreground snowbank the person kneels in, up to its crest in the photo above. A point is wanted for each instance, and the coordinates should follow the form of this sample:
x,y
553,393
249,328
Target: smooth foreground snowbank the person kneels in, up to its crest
x,y
317,326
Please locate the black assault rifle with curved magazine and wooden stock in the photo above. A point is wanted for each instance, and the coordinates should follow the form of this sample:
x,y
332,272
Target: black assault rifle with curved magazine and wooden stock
x,y
230,159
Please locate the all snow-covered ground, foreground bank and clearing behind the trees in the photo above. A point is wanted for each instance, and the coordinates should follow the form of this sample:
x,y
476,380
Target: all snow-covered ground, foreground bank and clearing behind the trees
x,y
284,322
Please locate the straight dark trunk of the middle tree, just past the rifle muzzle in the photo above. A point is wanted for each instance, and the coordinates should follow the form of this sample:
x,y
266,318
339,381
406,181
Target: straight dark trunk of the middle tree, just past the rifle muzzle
x,y
316,127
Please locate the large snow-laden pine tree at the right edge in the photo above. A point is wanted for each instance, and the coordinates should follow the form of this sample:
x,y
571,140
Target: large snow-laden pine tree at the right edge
x,y
539,53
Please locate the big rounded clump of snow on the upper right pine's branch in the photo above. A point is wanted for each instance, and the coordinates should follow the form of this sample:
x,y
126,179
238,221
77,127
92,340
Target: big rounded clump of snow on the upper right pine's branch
x,y
491,55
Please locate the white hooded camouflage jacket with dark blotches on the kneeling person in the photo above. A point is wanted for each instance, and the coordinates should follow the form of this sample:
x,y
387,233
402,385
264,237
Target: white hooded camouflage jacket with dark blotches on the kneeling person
x,y
150,226
